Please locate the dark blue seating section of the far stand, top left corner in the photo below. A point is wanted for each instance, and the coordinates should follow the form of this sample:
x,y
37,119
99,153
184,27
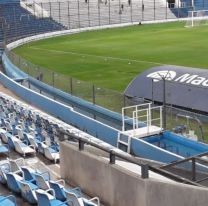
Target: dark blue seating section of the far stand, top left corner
x,y
19,22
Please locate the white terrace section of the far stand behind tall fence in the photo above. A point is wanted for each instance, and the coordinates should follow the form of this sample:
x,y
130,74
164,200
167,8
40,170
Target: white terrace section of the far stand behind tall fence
x,y
80,14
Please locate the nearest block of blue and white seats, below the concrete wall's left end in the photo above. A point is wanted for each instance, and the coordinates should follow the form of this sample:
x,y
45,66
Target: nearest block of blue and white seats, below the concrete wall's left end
x,y
37,187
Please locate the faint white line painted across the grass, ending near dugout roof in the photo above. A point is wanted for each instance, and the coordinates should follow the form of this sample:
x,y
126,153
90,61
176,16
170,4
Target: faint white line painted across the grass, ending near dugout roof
x,y
93,55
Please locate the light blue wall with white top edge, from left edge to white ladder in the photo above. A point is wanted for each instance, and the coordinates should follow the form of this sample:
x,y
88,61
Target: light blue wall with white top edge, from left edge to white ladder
x,y
59,110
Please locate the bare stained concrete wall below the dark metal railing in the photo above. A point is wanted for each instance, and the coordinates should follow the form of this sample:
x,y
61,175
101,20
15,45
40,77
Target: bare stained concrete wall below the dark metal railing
x,y
118,187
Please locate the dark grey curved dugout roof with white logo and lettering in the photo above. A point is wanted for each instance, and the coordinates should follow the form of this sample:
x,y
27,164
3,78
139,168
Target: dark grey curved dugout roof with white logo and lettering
x,y
185,87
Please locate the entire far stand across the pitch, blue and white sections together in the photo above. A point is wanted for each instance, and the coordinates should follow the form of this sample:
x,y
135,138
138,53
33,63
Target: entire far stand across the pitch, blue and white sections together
x,y
26,18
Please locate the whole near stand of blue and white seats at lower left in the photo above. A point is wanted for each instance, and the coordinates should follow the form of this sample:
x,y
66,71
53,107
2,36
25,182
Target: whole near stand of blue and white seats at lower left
x,y
20,124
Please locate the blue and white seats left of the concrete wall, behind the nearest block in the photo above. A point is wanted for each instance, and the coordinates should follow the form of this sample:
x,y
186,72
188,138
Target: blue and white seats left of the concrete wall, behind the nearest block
x,y
26,132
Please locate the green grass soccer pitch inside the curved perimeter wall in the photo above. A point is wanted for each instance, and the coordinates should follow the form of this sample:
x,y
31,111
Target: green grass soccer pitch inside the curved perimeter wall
x,y
111,58
